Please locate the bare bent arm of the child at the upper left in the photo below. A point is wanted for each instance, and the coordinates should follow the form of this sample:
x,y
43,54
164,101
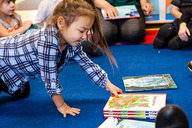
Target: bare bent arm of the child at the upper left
x,y
25,25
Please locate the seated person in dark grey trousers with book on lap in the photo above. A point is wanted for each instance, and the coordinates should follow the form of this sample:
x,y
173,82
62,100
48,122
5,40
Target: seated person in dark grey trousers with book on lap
x,y
131,30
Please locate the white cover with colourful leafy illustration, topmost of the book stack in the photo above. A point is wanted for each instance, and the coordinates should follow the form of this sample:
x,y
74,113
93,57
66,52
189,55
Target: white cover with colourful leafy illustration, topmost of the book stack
x,y
152,102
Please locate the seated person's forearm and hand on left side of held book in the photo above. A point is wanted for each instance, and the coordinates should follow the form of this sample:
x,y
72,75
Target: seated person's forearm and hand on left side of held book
x,y
110,10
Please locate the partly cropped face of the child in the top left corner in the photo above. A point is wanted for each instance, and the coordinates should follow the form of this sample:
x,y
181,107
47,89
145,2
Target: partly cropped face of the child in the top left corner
x,y
8,7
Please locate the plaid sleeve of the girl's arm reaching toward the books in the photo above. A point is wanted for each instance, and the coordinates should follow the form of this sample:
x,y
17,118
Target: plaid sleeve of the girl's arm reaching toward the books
x,y
94,71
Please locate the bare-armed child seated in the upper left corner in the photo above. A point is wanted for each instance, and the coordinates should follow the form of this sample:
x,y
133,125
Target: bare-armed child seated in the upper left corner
x,y
10,22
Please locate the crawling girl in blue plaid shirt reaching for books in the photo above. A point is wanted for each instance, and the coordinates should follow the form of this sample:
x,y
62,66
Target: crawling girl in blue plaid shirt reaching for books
x,y
45,52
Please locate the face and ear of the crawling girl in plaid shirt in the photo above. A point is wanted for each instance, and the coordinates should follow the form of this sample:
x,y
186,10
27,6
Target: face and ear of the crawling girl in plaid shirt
x,y
77,31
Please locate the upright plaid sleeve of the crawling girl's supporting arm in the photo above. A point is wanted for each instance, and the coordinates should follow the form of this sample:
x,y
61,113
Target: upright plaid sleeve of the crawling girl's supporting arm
x,y
48,52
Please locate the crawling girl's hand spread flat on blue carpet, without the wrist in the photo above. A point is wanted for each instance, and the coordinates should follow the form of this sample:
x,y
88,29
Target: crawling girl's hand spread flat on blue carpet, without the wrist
x,y
65,109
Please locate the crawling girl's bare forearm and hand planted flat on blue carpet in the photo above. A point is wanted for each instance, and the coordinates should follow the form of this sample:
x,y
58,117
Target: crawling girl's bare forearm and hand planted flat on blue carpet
x,y
62,107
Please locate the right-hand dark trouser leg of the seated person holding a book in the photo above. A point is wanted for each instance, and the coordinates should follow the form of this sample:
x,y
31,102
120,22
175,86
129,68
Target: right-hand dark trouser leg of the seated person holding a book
x,y
133,30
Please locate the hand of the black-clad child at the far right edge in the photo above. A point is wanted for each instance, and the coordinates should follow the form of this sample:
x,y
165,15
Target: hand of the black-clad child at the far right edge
x,y
184,32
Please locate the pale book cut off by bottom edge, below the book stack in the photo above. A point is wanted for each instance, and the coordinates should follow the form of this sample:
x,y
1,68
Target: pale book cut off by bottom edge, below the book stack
x,y
125,123
